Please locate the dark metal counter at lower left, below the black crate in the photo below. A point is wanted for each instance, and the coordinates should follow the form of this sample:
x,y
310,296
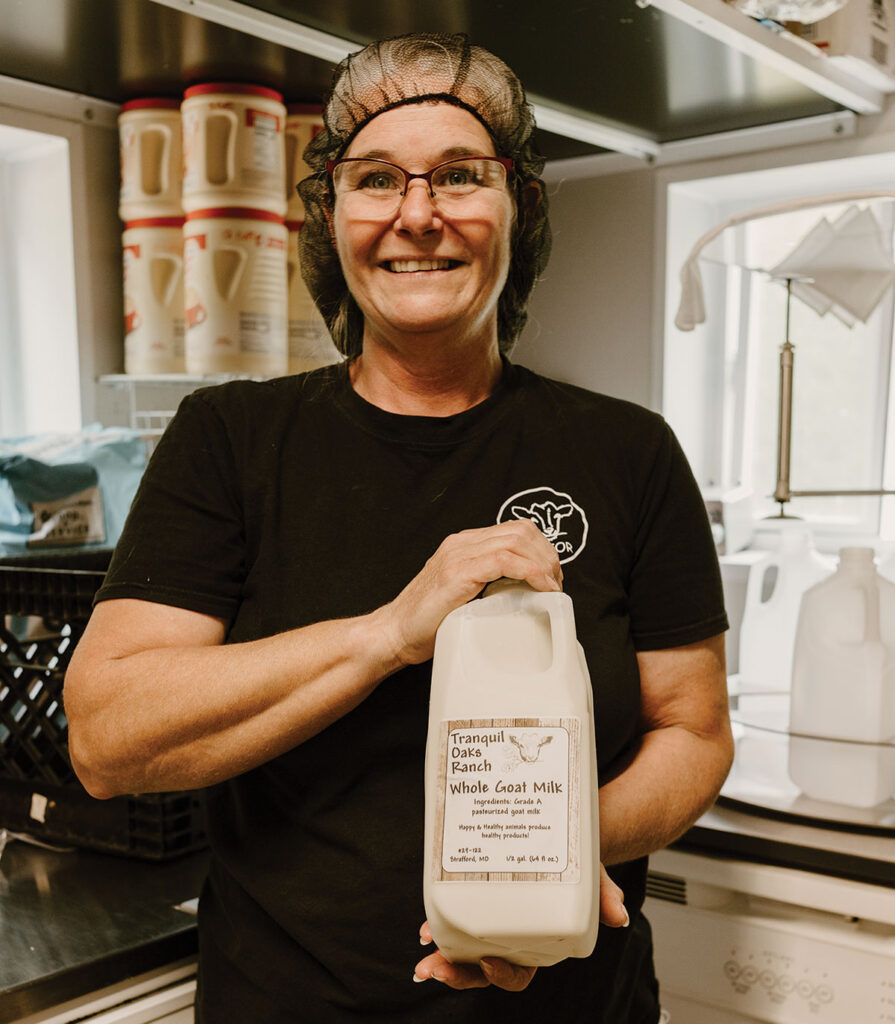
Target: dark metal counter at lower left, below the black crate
x,y
72,923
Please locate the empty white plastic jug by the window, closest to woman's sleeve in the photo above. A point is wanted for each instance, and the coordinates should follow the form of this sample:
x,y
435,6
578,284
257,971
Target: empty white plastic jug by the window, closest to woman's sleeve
x,y
774,595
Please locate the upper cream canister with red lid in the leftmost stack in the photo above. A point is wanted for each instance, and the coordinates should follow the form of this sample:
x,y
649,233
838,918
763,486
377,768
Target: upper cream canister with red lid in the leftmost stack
x,y
150,146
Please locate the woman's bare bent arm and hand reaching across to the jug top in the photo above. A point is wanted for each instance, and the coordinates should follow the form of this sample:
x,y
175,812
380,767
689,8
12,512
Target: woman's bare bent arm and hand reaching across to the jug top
x,y
156,701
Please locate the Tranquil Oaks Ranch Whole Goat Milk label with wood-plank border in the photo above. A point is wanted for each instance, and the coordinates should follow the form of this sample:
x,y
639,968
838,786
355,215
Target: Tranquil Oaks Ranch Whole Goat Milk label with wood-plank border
x,y
508,801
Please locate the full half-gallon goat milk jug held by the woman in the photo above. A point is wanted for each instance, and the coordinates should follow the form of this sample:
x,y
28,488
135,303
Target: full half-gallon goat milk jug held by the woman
x,y
512,854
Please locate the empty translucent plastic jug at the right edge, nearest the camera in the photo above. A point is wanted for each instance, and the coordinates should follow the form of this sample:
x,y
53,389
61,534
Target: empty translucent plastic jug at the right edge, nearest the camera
x,y
844,687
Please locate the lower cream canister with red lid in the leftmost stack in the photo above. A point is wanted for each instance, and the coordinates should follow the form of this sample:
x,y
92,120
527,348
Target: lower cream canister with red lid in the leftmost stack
x,y
154,321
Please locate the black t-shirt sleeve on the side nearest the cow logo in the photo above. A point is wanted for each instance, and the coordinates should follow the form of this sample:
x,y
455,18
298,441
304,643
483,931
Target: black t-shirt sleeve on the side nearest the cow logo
x,y
675,594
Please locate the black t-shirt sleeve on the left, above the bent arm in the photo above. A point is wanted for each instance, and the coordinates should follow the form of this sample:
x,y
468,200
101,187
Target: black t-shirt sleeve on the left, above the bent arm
x,y
184,542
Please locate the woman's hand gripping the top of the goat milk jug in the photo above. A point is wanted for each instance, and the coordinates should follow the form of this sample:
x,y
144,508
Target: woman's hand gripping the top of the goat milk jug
x,y
461,567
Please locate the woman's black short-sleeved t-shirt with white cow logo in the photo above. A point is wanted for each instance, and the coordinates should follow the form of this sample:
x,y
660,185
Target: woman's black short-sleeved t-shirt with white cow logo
x,y
282,503
